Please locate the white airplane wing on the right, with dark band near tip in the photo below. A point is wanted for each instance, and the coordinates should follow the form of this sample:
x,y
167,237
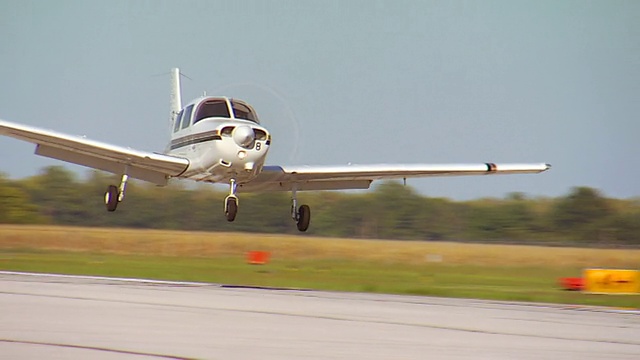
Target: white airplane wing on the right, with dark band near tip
x,y
279,178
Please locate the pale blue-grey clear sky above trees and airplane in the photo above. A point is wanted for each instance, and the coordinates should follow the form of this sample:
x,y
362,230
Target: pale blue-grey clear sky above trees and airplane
x,y
341,82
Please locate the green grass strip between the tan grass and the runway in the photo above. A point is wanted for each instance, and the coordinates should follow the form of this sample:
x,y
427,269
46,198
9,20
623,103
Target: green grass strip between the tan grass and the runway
x,y
517,283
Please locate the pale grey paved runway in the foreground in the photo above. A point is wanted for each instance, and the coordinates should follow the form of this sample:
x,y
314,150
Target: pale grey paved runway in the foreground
x,y
67,317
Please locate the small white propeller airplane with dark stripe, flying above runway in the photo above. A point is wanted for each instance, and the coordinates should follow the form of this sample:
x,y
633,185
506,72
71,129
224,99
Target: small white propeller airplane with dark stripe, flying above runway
x,y
220,140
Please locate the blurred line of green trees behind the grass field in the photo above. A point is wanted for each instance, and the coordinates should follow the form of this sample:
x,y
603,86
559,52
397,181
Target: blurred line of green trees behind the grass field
x,y
389,211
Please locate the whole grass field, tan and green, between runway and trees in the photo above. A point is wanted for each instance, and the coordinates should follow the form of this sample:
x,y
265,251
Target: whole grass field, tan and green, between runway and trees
x,y
500,272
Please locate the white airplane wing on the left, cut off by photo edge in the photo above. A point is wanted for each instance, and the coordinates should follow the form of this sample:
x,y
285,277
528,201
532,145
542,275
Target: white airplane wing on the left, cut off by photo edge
x,y
148,166
